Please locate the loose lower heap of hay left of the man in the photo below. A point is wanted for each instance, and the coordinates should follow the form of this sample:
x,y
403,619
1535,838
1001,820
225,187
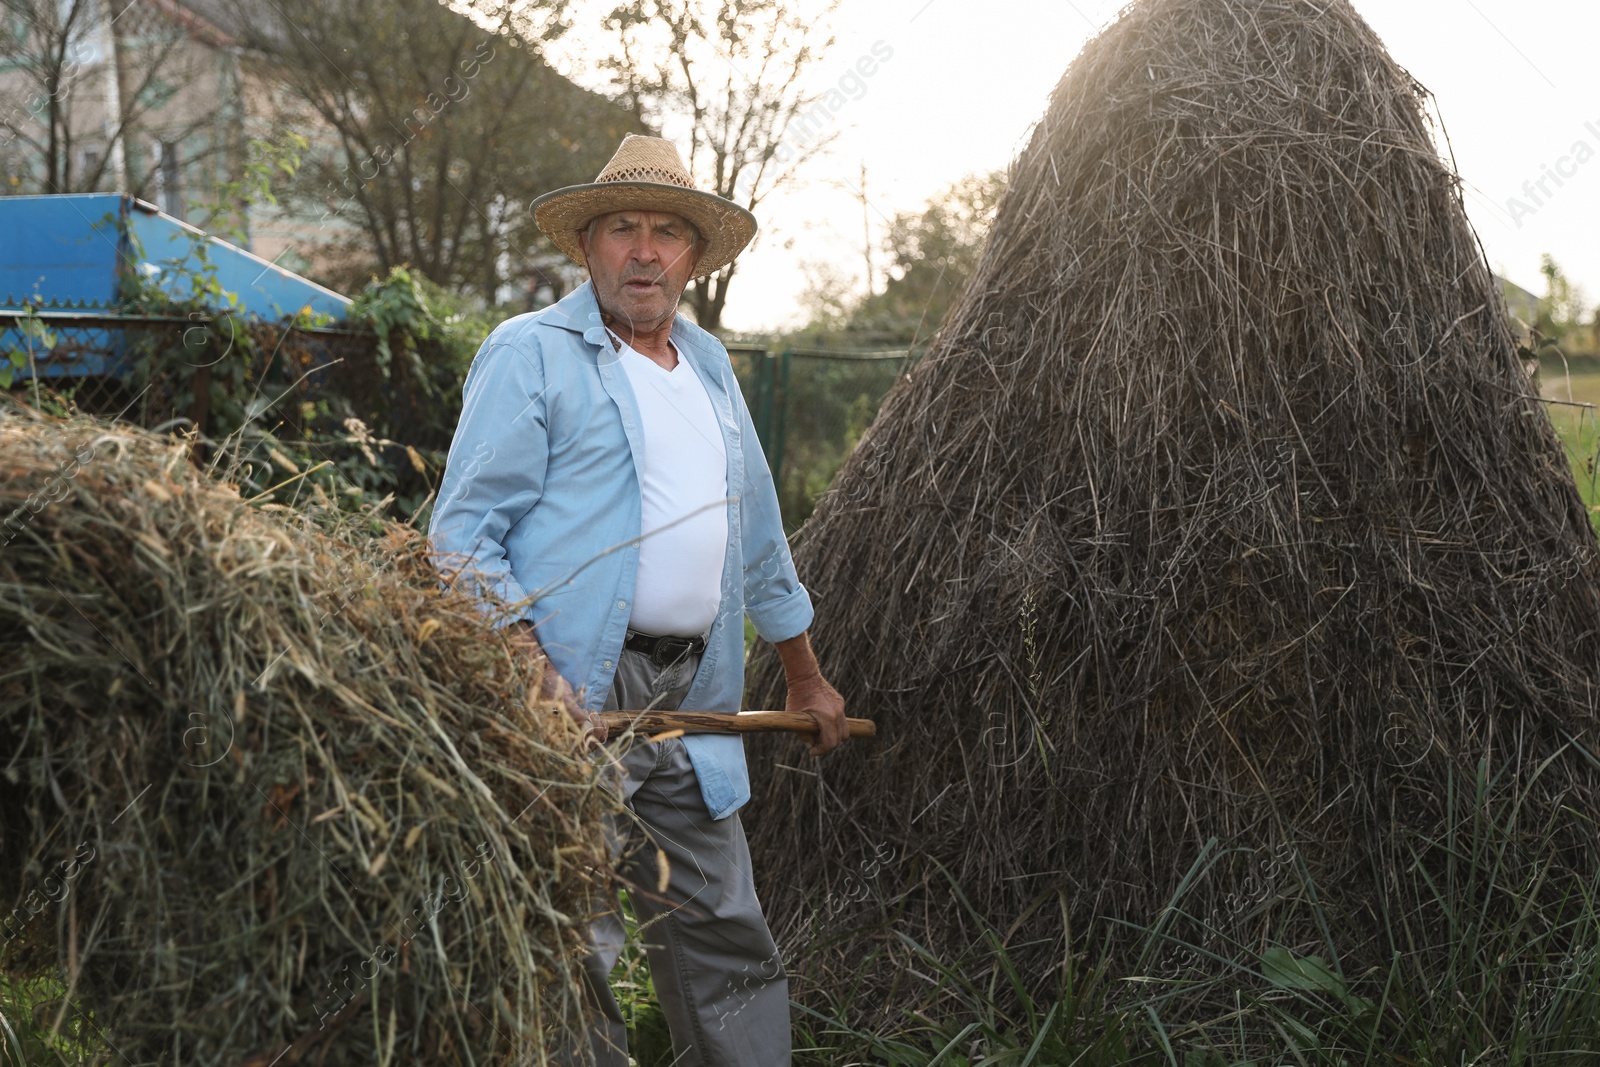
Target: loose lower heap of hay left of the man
x,y
268,796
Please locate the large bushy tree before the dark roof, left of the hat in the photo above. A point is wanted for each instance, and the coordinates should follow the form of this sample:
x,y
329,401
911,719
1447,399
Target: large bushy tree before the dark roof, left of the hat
x,y
433,132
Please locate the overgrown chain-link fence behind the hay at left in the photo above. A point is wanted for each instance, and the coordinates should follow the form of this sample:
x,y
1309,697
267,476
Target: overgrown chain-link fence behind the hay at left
x,y
271,398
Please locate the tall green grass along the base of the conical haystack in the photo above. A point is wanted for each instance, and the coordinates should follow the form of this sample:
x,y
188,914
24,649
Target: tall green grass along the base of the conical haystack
x,y
1492,957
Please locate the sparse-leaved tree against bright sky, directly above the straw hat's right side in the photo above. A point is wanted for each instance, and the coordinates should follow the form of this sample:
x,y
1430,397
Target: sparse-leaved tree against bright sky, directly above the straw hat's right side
x,y
730,74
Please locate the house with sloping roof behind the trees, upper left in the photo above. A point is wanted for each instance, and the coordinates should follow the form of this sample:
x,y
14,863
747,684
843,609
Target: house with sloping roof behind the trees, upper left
x,y
193,105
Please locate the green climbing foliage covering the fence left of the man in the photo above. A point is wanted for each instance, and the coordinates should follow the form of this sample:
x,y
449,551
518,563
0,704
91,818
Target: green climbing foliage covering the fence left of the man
x,y
356,418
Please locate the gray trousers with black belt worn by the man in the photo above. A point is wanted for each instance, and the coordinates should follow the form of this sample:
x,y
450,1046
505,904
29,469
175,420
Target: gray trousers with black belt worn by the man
x,y
713,959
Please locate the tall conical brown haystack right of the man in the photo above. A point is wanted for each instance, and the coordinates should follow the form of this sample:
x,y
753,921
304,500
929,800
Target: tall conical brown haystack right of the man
x,y
1220,511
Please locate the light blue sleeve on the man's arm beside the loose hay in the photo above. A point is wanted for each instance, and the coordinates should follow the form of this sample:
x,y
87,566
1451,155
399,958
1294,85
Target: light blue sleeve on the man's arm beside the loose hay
x,y
497,468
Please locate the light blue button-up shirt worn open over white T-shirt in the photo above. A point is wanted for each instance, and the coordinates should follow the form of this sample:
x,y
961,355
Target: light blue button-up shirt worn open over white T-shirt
x,y
542,508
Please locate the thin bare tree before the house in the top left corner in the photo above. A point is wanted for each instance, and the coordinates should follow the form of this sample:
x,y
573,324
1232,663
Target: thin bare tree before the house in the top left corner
x,y
84,78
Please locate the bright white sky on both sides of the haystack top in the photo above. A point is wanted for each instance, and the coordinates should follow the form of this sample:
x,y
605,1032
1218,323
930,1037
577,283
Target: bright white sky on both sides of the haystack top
x,y
1518,84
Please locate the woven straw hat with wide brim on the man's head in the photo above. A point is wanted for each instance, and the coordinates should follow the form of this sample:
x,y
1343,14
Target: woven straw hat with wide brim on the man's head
x,y
647,175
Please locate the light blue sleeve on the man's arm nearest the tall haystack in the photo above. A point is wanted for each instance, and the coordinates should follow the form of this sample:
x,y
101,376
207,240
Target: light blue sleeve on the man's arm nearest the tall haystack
x,y
775,601
